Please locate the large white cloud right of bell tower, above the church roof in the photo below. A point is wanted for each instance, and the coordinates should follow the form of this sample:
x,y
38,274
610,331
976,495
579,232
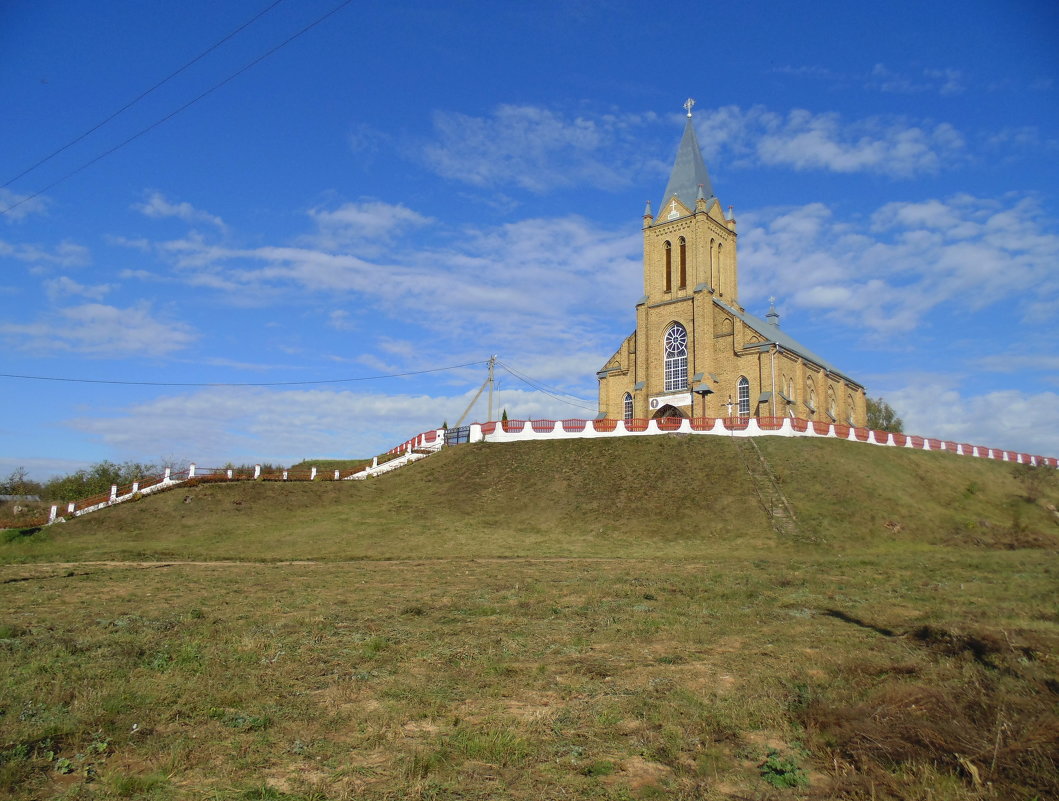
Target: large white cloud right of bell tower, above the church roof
x,y
908,259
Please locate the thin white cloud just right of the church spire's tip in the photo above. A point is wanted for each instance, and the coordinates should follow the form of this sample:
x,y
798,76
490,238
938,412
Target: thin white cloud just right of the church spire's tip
x,y
803,140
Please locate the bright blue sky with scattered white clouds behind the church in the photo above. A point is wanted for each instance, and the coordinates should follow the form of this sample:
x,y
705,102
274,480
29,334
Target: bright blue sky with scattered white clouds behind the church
x,y
298,209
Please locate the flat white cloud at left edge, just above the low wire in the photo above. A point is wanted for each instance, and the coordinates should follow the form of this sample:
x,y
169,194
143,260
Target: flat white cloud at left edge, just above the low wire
x,y
98,330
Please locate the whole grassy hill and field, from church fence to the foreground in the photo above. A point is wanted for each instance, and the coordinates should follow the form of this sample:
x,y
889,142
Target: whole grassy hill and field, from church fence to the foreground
x,y
591,619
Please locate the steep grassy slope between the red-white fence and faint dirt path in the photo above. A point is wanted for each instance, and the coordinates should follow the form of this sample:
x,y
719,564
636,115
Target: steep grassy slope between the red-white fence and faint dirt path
x,y
674,497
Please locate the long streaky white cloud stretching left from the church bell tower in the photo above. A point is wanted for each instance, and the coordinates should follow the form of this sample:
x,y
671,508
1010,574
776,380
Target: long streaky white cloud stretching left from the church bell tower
x,y
509,288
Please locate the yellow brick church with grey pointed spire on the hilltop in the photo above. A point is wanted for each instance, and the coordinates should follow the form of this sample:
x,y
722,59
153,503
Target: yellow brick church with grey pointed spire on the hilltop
x,y
696,351
